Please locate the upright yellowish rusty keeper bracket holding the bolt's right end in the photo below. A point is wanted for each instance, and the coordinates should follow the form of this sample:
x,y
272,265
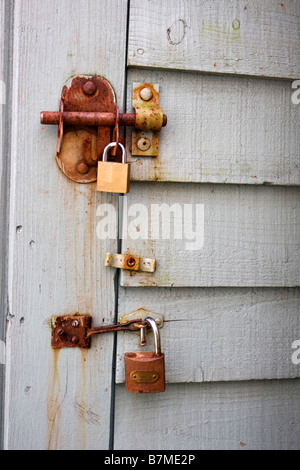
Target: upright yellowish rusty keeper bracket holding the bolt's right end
x,y
149,119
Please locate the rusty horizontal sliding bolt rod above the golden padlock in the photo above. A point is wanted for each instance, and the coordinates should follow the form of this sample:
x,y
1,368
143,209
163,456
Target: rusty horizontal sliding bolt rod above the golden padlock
x,y
90,118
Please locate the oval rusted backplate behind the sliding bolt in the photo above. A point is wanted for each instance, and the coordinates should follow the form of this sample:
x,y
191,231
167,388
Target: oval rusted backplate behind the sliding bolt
x,y
82,147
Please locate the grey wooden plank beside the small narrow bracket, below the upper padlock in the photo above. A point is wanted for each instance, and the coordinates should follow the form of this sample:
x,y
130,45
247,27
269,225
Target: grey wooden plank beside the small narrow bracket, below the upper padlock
x,y
213,235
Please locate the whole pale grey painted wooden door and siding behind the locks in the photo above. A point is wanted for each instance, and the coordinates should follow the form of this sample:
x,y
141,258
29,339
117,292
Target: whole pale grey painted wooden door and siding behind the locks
x,y
231,303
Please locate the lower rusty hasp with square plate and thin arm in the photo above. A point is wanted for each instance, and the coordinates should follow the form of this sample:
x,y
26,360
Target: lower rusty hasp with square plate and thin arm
x,y
69,331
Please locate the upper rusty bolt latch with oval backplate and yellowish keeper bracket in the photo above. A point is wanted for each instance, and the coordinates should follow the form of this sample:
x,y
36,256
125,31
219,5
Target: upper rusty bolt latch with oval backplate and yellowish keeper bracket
x,y
88,120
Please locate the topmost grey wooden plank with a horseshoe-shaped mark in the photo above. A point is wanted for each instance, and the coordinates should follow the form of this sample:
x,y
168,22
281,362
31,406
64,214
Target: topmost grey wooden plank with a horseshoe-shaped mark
x,y
217,36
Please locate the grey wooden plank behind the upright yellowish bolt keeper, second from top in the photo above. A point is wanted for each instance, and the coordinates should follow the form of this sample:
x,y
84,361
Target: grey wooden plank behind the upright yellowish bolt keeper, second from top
x,y
222,130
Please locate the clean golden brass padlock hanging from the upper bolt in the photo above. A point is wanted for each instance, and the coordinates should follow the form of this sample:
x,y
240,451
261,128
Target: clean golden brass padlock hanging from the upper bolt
x,y
113,177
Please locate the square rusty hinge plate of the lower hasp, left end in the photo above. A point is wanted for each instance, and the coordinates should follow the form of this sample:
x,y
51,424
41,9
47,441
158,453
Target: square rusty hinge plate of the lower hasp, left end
x,y
69,331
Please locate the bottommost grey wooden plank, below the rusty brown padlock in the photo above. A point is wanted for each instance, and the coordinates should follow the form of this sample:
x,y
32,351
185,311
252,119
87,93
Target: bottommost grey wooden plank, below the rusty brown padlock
x,y
247,415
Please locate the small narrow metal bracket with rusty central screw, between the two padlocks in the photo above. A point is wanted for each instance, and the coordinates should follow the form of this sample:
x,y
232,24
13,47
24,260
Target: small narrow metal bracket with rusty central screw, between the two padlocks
x,y
130,262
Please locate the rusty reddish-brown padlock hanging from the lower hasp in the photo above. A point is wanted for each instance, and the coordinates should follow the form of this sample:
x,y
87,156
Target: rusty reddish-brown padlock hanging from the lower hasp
x,y
145,372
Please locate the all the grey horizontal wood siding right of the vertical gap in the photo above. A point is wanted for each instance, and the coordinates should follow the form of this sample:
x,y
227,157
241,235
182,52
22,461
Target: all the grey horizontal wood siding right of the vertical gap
x,y
231,307
